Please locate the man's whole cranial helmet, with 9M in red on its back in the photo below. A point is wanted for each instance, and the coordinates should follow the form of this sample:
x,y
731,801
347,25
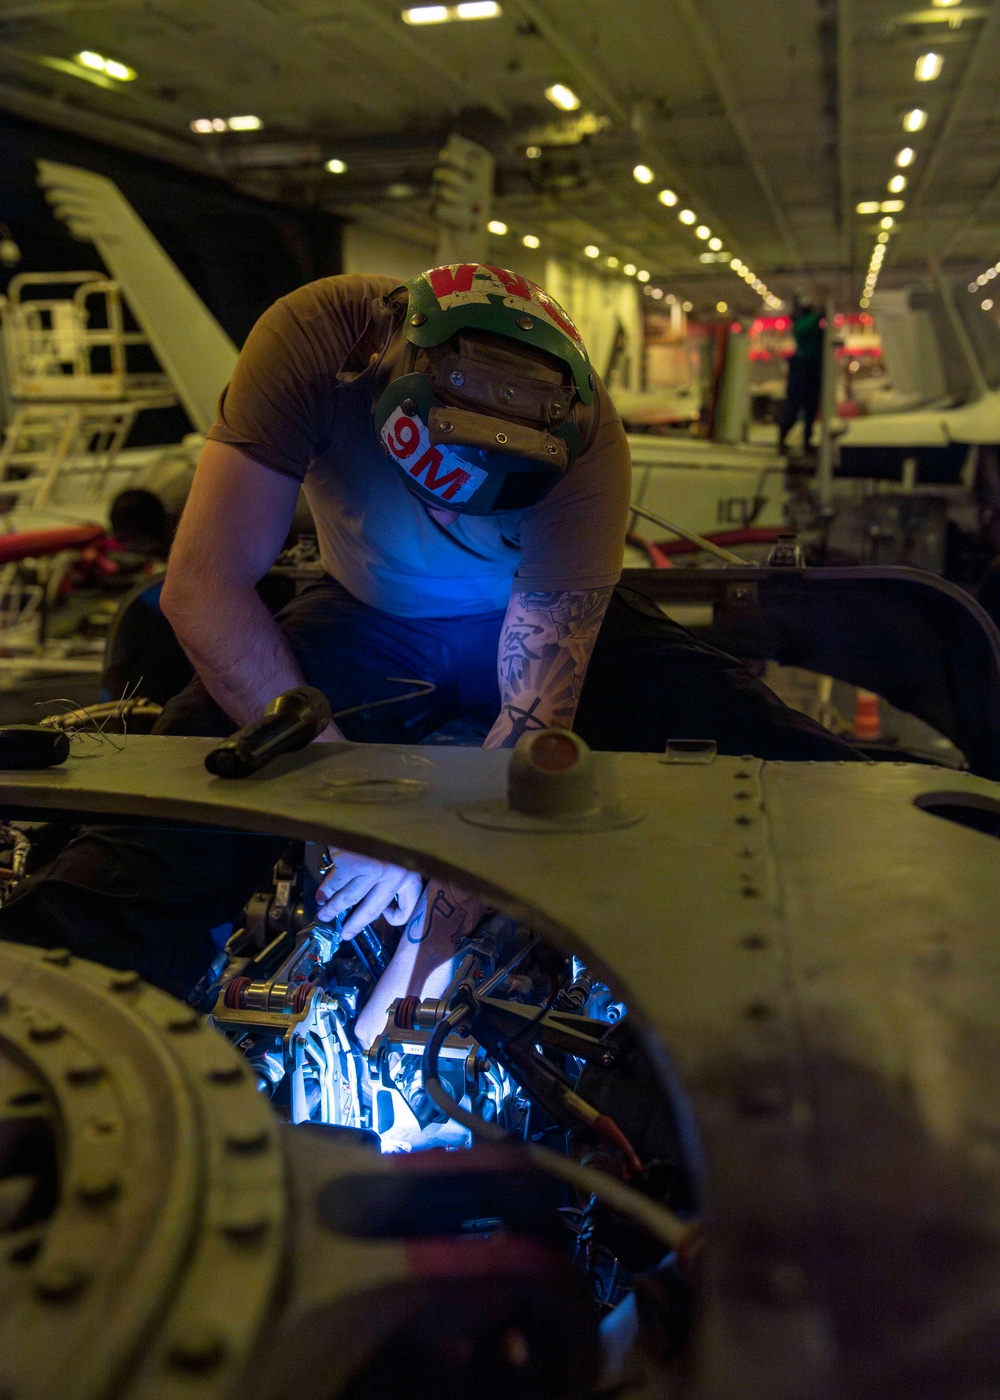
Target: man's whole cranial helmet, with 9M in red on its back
x,y
481,416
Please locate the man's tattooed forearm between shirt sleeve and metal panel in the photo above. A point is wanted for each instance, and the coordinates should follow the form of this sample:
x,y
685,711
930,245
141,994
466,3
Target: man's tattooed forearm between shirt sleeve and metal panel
x,y
546,647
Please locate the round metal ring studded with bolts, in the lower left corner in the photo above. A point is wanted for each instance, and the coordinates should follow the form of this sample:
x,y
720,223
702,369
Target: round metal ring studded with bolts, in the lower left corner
x,y
135,1261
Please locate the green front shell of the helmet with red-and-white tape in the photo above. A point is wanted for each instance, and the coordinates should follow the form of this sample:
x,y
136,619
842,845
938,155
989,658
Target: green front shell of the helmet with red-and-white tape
x,y
481,297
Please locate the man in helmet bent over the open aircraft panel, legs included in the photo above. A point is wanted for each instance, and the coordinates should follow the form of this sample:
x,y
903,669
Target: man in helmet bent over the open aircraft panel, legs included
x,y
470,484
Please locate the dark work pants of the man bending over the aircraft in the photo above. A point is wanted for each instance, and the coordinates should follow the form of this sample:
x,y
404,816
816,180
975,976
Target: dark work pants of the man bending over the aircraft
x,y
149,899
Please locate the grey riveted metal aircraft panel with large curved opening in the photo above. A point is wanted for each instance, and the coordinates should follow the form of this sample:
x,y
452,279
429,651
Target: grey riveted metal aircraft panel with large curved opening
x,y
820,958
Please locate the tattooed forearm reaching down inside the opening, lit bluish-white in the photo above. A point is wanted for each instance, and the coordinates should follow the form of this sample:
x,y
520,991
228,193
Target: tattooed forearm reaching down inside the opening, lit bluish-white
x,y
424,962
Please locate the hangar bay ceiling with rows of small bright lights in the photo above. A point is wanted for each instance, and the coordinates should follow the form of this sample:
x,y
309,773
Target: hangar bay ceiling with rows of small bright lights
x,y
772,122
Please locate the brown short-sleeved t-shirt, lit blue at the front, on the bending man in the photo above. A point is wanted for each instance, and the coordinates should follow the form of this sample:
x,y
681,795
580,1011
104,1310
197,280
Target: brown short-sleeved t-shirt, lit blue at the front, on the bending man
x,y
286,409
